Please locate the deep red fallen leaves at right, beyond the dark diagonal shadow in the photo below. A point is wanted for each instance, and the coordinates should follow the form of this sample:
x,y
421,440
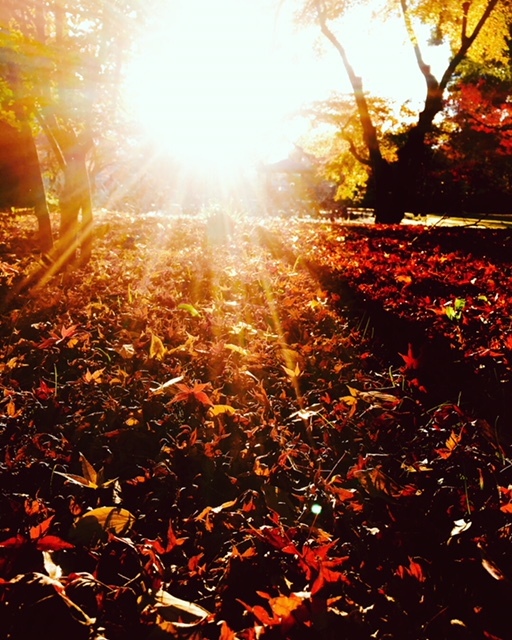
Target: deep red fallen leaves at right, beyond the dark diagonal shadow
x,y
453,281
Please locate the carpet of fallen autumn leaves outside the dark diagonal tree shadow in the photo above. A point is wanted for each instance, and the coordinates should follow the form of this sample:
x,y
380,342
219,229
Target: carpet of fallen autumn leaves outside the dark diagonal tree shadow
x,y
196,443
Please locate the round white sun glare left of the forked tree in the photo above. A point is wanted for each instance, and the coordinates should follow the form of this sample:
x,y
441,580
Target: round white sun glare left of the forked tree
x,y
210,86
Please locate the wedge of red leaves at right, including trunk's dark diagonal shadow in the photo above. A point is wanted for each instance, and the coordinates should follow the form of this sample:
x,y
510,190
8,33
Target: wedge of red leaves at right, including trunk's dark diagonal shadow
x,y
446,291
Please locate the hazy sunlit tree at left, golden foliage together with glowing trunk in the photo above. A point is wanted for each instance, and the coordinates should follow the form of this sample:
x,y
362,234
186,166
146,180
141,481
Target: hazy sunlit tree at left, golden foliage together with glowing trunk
x,y
61,67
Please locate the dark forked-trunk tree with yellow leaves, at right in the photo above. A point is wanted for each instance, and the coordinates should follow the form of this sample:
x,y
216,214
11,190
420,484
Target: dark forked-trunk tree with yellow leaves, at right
x,y
475,30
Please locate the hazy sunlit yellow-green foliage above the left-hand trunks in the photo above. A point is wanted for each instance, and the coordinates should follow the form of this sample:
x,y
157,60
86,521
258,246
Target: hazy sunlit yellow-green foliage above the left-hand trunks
x,y
69,61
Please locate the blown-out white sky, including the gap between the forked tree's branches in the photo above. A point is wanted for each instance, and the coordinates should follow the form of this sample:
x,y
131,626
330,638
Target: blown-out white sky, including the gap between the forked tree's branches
x,y
215,81
